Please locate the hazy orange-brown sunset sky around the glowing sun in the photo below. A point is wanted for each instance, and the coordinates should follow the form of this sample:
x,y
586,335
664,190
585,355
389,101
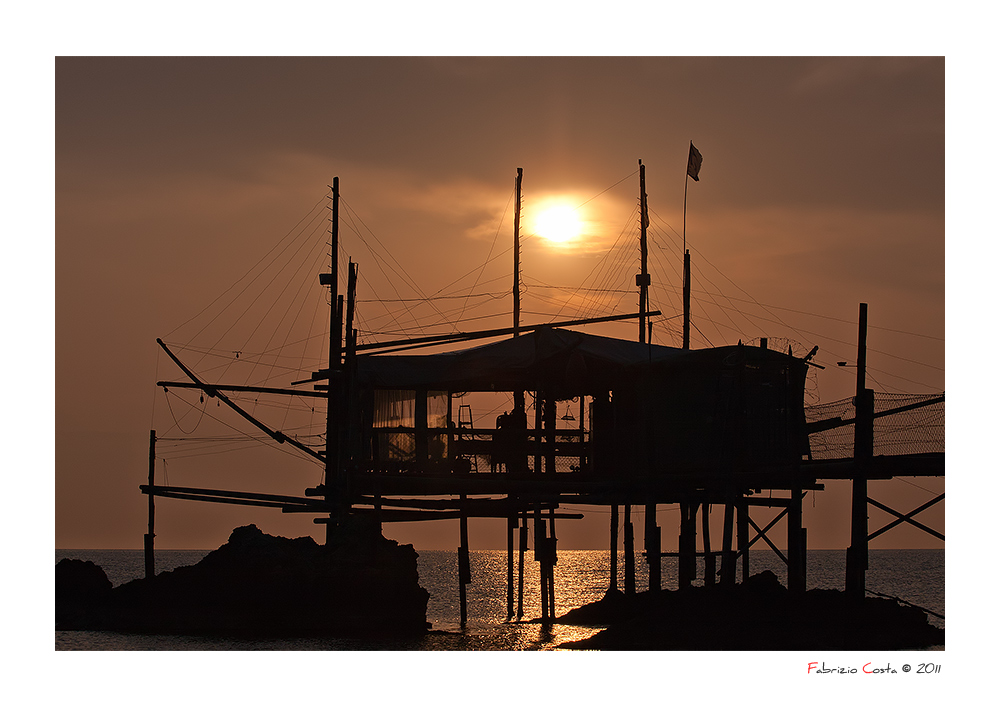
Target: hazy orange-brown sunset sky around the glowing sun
x,y
822,187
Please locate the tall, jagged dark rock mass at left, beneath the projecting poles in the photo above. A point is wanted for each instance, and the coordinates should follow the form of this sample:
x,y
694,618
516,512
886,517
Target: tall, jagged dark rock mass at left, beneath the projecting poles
x,y
262,585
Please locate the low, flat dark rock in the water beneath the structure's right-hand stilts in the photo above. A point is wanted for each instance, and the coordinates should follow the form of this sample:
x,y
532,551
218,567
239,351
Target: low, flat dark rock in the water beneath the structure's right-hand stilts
x,y
759,614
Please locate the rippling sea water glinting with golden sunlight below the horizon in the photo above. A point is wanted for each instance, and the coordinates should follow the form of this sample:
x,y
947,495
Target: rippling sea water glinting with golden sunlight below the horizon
x,y
916,576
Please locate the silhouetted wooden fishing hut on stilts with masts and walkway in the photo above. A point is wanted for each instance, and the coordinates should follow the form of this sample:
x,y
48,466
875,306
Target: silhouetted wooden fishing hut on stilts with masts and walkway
x,y
724,426
